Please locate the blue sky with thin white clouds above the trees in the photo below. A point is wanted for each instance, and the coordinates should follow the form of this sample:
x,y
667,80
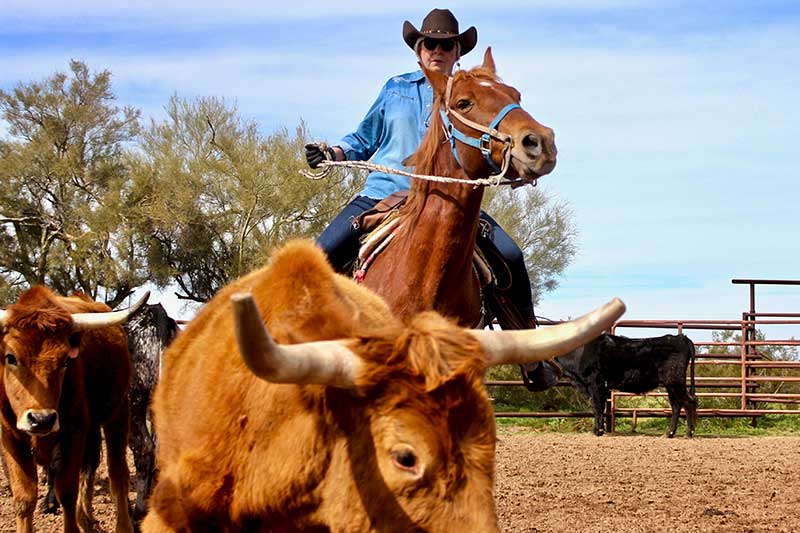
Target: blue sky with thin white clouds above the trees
x,y
676,122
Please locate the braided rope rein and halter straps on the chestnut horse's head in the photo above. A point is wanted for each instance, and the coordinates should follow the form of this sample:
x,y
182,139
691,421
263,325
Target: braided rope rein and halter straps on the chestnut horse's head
x,y
482,143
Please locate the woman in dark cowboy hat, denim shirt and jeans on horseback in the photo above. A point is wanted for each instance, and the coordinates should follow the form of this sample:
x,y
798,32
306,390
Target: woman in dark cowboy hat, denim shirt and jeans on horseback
x,y
392,130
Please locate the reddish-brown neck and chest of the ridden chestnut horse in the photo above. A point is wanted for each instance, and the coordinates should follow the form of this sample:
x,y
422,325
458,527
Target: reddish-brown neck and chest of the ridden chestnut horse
x,y
430,264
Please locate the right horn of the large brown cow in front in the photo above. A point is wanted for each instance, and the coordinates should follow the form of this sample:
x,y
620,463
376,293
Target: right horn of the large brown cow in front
x,y
531,345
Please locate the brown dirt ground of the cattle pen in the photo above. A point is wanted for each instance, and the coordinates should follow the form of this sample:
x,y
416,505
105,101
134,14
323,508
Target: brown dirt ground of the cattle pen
x,y
581,483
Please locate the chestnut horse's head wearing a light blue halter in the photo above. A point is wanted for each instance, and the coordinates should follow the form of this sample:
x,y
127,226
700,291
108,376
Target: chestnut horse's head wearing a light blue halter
x,y
489,133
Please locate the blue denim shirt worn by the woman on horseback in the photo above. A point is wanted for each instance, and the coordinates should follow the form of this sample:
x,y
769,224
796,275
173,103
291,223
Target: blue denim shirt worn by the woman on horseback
x,y
391,131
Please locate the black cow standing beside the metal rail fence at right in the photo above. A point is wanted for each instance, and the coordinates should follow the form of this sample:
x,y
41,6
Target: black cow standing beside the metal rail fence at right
x,y
634,365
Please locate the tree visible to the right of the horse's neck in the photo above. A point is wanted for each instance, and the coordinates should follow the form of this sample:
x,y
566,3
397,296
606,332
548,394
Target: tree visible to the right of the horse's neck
x,y
543,229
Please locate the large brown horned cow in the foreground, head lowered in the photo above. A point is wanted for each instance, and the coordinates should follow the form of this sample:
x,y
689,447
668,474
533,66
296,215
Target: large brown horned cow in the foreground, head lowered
x,y
356,422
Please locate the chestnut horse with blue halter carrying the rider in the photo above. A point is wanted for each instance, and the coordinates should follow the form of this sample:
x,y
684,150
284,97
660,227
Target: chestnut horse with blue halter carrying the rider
x,y
429,262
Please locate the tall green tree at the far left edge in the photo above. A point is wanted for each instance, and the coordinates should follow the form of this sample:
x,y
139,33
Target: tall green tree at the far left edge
x,y
63,171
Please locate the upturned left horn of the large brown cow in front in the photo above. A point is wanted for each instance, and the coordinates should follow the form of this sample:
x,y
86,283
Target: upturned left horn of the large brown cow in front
x,y
320,362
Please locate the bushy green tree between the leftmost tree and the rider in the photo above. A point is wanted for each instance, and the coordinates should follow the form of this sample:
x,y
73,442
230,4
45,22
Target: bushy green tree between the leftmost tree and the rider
x,y
218,195
